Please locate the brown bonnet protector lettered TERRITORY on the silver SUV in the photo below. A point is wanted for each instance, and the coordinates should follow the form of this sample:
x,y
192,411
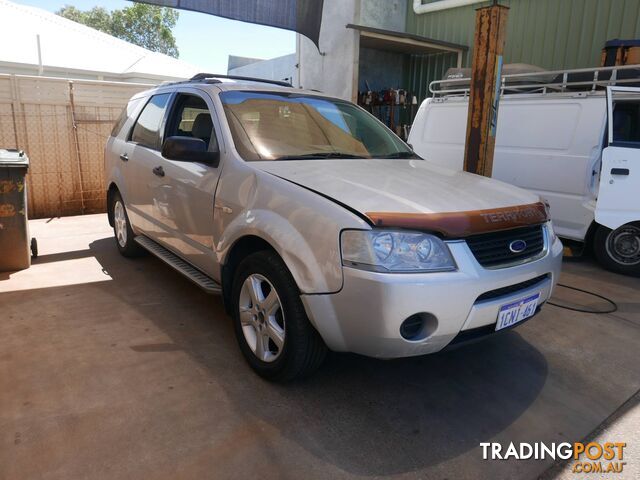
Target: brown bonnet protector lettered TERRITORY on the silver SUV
x,y
464,224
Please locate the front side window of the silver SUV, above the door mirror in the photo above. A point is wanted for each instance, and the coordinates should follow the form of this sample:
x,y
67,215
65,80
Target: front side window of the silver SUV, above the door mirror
x,y
191,118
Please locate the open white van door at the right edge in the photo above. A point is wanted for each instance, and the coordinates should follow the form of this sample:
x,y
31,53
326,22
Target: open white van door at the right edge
x,y
617,202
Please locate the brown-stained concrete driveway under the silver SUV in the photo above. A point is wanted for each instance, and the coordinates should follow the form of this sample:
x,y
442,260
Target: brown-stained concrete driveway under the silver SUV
x,y
117,368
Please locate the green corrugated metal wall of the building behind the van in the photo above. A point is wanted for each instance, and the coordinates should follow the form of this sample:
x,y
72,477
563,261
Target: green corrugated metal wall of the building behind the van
x,y
554,34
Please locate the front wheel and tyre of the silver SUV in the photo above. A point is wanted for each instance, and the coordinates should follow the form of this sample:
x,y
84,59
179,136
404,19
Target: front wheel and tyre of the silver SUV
x,y
271,325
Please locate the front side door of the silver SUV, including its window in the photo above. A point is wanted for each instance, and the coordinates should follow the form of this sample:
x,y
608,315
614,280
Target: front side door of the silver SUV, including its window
x,y
183,197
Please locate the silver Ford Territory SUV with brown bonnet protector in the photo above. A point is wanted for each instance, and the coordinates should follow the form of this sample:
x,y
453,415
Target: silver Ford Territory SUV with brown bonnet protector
x,y
319,226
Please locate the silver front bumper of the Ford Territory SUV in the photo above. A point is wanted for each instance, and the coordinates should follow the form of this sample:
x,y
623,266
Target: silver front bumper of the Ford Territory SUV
x,y
366,315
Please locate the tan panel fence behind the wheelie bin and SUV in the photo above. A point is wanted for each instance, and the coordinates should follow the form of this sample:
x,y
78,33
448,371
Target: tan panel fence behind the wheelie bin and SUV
x,y
62,125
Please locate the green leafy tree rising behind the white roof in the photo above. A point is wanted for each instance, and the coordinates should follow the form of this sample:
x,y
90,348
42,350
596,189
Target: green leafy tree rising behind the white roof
x,y
149,26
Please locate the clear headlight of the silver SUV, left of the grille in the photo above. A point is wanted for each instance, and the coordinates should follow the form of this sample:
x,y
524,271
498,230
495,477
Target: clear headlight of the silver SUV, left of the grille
x,y
389,251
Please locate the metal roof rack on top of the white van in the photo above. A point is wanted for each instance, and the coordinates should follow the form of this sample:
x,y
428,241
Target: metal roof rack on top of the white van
x,y
578,80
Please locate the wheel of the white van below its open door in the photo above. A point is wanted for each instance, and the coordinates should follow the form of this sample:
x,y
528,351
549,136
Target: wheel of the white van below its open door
x,y
619,250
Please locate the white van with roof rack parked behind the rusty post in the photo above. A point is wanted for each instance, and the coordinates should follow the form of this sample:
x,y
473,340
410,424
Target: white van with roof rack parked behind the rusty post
x,y
573,141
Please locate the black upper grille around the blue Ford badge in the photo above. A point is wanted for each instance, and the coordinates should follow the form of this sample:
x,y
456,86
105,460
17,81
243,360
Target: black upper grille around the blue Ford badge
x,y
492,249
